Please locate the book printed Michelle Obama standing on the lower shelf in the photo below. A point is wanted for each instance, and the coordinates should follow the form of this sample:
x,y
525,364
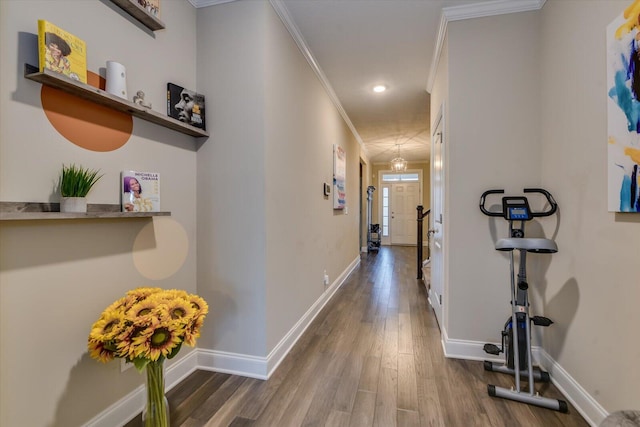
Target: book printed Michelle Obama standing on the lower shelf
x,y
140,191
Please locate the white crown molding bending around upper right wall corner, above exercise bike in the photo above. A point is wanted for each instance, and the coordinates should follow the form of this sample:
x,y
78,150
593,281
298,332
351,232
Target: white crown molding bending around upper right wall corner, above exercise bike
x,y
478,10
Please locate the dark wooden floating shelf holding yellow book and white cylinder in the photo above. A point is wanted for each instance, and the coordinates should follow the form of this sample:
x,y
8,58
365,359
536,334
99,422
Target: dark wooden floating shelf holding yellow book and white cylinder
x,y
99,96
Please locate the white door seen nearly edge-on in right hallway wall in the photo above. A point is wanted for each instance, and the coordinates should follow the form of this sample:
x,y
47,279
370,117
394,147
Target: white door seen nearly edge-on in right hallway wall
x,y
436,291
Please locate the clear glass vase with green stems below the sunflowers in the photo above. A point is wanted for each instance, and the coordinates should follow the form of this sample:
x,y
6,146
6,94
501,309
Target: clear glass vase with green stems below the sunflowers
x,y
156,411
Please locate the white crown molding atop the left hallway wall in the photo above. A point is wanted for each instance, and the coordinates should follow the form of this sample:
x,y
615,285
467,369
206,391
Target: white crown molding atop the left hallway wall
x,y
282,12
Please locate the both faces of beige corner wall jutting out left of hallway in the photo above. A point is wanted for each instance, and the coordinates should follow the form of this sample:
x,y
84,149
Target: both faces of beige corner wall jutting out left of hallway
x,y
263,253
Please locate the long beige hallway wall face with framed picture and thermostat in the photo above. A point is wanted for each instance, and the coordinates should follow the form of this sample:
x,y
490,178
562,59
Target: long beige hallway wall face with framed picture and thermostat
x,y
305,235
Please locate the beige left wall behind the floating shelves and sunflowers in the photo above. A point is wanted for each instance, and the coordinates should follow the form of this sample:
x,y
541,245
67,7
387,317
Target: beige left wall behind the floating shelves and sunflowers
x,y
56,277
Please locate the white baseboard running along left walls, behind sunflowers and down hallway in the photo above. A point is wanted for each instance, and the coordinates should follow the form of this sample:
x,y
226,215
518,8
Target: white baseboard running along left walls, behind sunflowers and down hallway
x,y
129,406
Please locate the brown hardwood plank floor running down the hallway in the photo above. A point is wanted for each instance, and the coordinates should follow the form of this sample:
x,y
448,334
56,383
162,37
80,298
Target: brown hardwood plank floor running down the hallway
x,y
372,357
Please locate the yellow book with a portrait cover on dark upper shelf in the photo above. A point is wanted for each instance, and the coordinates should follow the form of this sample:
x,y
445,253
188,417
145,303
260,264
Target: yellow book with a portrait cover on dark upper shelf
x,y
61,51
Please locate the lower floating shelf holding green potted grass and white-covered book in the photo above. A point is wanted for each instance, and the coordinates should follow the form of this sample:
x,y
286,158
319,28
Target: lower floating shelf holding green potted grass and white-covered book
x,y
21,211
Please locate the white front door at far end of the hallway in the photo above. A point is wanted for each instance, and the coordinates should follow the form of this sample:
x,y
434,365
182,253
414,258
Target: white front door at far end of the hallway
x,y
404,199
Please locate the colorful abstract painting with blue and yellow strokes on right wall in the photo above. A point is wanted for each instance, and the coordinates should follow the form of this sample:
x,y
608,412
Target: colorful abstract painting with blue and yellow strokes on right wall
x,y
623,107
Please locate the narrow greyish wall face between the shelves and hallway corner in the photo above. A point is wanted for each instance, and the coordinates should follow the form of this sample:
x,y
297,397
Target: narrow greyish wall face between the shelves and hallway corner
x,y
231,177
